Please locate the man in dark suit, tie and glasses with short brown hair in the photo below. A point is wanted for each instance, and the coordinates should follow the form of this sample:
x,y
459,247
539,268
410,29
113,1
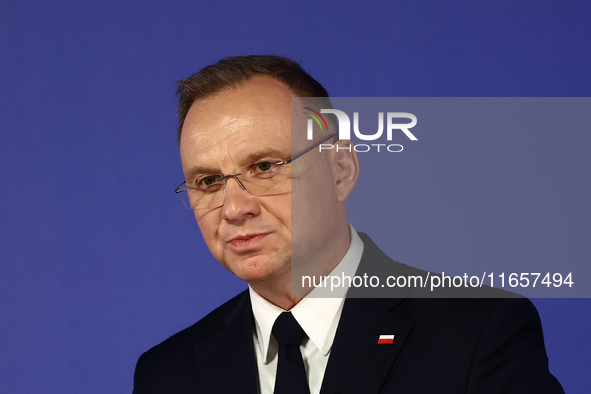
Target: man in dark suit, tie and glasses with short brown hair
x,y
245,172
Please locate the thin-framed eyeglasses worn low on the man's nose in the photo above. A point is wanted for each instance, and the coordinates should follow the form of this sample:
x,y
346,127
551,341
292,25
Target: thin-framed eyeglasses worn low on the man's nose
x,y
263,178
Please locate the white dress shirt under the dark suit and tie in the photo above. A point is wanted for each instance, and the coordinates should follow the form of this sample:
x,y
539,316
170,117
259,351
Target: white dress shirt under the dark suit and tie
x,y
318,317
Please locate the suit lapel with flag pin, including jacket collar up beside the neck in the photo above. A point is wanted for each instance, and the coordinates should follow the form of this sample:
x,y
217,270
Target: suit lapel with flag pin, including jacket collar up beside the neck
x,y
358,363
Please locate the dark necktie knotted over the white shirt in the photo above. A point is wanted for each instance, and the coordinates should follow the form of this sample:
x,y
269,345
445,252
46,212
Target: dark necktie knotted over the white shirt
x,y
291,374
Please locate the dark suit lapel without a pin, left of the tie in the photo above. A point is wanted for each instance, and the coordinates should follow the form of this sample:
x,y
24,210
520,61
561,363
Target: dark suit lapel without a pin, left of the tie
x,y
226,361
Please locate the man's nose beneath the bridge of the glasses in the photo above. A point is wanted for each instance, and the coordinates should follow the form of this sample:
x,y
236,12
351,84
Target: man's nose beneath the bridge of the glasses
x,y
238,203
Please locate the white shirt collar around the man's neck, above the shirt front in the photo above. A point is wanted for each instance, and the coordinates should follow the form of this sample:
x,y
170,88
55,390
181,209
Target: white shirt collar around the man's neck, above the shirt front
x,y
317,315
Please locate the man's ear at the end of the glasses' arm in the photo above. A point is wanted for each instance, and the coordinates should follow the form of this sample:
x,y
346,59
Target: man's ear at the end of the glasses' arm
x,y
346,168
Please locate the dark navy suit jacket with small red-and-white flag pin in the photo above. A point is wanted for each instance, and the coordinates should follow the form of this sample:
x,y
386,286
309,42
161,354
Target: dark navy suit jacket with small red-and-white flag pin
x,y
461,345
